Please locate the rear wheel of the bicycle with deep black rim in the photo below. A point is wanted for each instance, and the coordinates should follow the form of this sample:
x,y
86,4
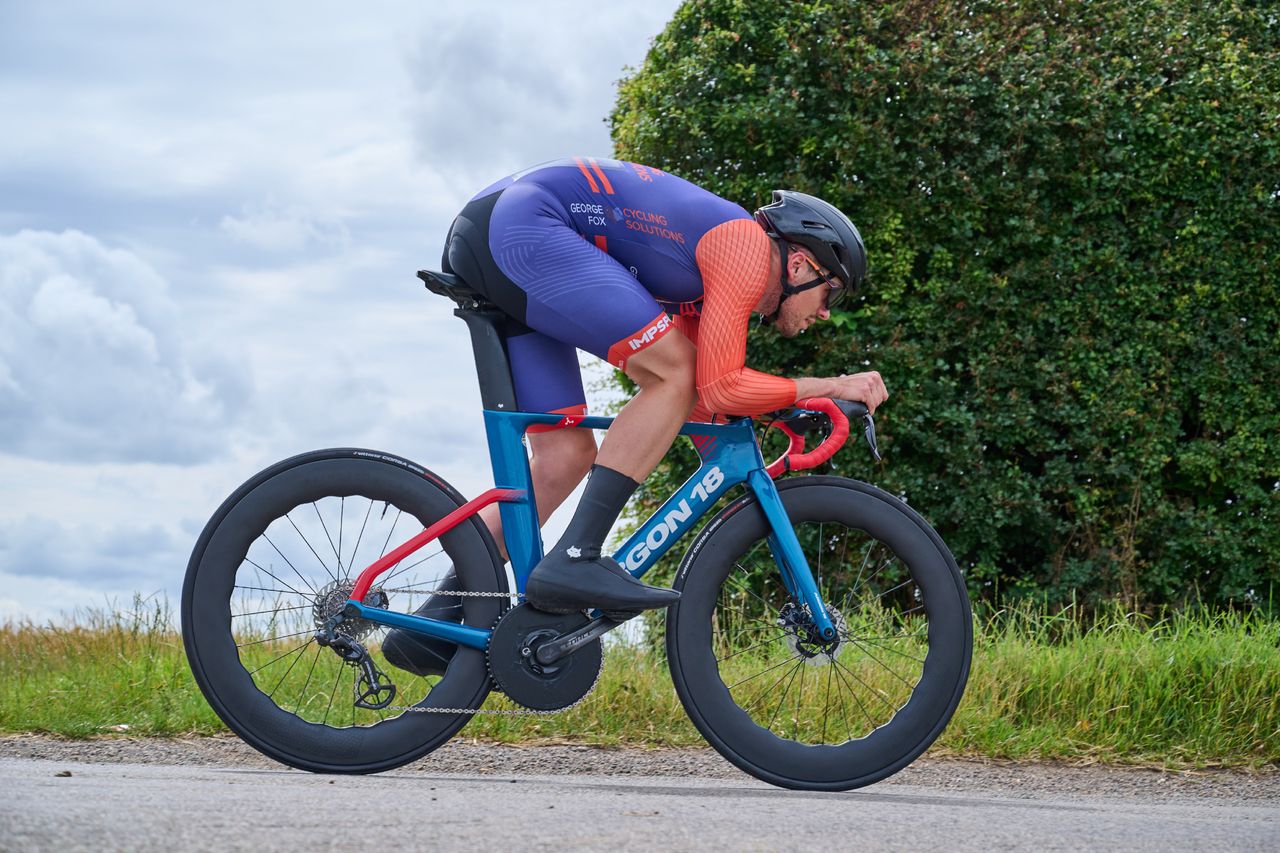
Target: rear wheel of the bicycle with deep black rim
x,y
275,560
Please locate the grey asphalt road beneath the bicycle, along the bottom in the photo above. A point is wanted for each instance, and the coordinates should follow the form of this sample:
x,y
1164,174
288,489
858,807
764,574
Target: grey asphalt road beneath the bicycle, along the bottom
x,y
248,805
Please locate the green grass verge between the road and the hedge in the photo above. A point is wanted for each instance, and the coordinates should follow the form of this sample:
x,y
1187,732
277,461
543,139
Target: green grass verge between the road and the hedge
x,y
1192,690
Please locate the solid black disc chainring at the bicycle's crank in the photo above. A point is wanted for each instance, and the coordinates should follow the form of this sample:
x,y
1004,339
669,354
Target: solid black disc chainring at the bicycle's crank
x,y
516,672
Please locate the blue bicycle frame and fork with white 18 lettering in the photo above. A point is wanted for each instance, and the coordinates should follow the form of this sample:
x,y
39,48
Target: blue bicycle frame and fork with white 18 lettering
x,y
730,455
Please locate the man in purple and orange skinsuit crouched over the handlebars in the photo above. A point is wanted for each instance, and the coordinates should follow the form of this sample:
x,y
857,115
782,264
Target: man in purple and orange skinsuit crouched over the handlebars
x,y
659,277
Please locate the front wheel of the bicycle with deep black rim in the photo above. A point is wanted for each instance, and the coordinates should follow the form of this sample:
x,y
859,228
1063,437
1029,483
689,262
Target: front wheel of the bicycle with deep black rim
x,y
771,699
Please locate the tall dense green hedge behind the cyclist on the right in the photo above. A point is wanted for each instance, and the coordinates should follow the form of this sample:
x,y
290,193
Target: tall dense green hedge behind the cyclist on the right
x,y
1073,215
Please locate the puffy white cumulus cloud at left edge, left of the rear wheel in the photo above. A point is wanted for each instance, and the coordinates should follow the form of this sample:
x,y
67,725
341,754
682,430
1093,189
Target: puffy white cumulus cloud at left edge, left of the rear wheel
x,y
95,366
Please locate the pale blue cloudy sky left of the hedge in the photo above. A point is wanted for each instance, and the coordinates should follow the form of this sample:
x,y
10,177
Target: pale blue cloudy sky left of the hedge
x,y
211,218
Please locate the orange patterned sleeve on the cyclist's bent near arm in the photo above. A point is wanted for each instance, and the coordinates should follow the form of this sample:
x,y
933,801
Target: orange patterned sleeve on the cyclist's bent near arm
x,y
735,262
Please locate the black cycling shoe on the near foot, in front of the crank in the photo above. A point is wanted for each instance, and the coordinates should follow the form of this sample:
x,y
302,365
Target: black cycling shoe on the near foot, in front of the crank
x,y
570,580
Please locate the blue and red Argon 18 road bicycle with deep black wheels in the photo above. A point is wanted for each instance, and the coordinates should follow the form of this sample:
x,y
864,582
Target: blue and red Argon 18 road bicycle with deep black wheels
x,y
822,640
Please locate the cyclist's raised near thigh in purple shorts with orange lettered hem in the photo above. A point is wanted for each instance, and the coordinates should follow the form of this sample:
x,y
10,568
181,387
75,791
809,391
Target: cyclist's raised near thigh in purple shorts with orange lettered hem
x,y
575,293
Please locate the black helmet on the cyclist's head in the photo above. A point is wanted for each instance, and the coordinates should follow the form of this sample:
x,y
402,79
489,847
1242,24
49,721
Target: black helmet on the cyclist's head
x,y
820,227
